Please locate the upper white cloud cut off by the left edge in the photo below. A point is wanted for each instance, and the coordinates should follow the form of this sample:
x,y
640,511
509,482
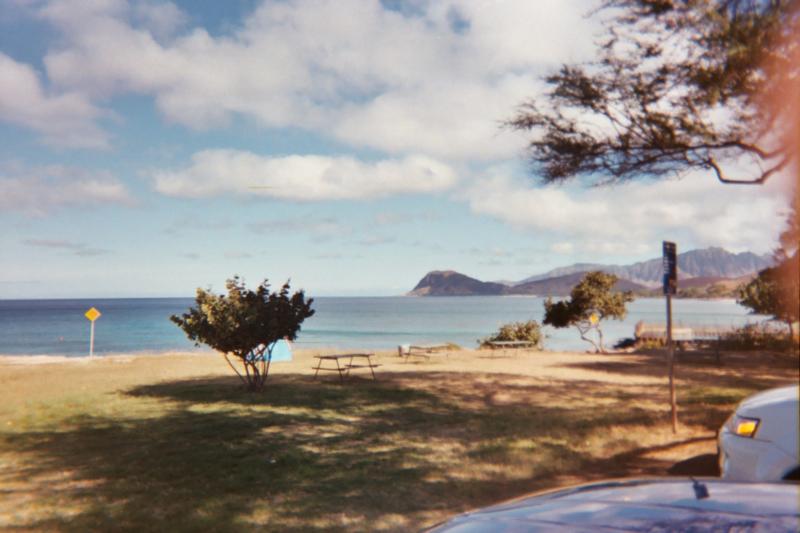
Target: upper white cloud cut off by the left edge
x,y
67,119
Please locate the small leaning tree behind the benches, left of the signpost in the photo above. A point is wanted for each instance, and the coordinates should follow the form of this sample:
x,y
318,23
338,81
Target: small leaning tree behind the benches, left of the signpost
x,y
591,301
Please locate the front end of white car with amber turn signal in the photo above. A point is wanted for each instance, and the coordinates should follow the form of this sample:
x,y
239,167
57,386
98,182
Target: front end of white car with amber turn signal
x,y
759,442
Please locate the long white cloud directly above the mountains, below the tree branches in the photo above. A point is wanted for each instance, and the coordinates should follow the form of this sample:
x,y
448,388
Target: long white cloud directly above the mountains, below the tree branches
x,y
633,218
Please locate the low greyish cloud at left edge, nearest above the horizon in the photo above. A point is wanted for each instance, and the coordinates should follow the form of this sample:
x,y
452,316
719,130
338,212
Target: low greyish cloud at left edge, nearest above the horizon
x,y
40,190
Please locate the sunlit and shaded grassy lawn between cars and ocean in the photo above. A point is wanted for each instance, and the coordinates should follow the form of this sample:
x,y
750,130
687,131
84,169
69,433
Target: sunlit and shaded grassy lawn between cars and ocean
x,y
142,447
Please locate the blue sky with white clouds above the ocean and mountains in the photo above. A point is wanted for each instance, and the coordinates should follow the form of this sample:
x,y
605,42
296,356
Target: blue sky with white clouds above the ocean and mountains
x,y
149,148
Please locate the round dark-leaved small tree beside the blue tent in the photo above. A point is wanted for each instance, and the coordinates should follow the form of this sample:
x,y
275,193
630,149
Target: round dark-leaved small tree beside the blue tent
x,y
245,324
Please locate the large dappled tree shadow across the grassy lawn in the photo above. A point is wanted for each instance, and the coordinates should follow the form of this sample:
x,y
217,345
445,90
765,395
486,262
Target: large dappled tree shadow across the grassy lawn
x,y
306,455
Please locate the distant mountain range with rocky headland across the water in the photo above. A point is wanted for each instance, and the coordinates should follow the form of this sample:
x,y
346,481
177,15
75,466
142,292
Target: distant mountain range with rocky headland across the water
x,y
706,272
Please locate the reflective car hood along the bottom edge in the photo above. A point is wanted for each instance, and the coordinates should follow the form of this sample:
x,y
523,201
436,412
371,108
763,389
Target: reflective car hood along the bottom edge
x,y
644,505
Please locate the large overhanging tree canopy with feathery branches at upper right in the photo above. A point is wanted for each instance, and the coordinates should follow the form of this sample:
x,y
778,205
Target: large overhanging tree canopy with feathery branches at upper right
x,y
679,85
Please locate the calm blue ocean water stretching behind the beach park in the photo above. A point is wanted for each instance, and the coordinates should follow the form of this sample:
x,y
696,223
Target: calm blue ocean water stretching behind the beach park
x,y
58,327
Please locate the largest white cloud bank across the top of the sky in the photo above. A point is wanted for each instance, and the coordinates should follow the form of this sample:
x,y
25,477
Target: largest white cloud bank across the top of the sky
x,y
354,70
